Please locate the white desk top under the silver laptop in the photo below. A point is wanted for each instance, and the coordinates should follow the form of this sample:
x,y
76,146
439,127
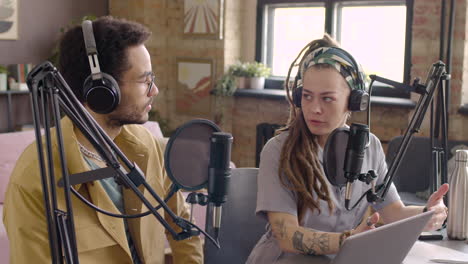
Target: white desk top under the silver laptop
x,y
421,253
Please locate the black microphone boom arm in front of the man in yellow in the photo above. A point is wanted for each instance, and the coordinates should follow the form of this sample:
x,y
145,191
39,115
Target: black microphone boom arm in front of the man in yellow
x,y
47,84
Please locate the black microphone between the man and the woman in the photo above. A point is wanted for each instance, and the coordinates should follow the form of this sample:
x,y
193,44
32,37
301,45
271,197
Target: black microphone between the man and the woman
x,y
219,174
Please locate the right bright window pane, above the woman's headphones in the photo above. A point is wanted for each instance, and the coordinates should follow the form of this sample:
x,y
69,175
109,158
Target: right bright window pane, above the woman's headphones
x,y
375,35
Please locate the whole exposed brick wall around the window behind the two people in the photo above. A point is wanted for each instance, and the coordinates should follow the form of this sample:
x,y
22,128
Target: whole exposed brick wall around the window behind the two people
x,y
241,115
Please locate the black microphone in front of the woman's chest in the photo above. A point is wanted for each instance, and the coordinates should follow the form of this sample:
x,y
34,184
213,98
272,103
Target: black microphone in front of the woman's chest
x,y
355,150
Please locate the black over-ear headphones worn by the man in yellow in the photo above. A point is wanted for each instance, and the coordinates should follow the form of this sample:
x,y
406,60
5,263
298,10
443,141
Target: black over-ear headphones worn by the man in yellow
x,y
100,90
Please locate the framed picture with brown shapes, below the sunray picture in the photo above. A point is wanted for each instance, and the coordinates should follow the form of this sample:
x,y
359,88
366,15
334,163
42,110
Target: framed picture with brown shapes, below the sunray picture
x,y
194,84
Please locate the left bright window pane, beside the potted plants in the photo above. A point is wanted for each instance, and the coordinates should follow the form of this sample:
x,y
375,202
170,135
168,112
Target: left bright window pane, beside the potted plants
x,y
291,29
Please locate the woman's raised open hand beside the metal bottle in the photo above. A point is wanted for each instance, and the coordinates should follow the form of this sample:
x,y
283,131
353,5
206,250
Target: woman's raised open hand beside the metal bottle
x,y
436,204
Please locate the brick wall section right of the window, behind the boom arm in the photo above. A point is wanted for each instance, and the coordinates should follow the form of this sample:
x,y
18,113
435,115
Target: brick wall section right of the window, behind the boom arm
x,y
425,51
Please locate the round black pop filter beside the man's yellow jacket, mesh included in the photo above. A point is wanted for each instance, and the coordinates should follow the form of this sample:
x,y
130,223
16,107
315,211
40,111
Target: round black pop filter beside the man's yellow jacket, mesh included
x,y
187,155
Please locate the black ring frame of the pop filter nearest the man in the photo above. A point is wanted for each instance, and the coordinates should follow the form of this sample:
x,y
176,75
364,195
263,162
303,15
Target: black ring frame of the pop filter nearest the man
x,y
176,185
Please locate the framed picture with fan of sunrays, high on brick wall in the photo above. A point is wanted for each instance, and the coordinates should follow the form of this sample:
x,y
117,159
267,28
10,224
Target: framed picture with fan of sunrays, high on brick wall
x,y
203,18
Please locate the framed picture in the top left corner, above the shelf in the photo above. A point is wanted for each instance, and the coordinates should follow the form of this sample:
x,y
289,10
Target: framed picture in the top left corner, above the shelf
x,y
9,19
